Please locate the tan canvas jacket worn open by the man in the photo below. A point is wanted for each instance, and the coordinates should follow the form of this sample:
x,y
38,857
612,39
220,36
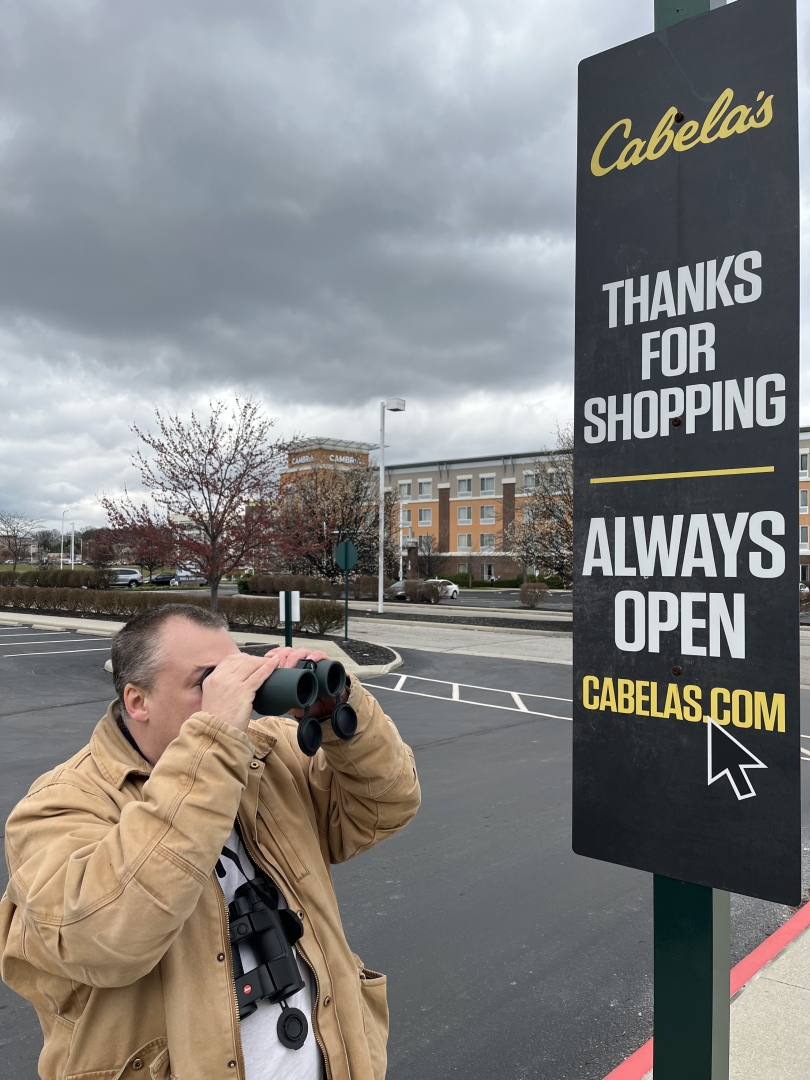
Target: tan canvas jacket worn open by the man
x,y
114,924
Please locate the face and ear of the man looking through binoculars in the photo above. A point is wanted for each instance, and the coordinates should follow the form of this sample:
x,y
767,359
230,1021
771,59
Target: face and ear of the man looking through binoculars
x,y
157,715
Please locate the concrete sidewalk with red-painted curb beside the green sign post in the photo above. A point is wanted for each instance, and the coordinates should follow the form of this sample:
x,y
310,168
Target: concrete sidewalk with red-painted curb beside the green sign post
x,y
771,1011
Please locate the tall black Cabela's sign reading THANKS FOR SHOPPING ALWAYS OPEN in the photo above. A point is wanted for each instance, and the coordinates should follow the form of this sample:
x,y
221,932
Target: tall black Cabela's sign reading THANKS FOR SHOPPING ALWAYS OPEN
x,y
686,738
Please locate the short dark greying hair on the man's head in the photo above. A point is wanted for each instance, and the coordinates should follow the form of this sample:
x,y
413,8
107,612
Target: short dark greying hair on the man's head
x,y
138,649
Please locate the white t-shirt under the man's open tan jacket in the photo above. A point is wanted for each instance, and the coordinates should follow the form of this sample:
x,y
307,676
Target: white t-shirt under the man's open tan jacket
x,y
266,1058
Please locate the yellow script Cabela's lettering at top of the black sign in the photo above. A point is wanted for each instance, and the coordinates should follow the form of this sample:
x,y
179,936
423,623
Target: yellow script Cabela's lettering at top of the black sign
x,y
720,124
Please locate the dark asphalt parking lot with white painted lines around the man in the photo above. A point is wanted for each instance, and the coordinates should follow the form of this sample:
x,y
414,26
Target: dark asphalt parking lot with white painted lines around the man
x,y
507,954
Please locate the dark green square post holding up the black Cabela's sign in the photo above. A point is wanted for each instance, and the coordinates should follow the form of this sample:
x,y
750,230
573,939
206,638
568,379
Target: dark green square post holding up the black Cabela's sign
x,y
692,923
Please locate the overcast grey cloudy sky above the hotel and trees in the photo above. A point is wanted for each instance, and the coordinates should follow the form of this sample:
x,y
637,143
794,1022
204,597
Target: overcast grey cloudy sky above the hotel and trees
x,y
318,202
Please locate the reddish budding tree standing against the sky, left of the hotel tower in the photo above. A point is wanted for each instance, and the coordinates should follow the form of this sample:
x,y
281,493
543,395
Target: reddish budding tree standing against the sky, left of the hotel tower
x,y
214,488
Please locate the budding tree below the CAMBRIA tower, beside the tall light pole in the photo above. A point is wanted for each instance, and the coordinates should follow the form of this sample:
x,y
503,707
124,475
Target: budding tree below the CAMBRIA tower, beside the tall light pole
x,y
322,508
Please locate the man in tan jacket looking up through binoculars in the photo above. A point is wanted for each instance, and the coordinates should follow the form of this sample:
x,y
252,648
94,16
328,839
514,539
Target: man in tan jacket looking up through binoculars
x,y
171,907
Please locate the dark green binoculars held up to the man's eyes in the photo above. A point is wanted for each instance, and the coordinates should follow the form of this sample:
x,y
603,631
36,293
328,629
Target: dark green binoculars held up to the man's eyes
x,y
301,687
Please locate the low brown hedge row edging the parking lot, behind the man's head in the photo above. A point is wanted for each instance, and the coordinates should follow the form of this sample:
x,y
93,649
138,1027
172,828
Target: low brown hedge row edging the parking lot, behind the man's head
x,y
319,617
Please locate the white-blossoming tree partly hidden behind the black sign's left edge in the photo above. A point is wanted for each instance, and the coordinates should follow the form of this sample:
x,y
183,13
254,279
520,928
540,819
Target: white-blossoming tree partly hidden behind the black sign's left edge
x,y
545,537
